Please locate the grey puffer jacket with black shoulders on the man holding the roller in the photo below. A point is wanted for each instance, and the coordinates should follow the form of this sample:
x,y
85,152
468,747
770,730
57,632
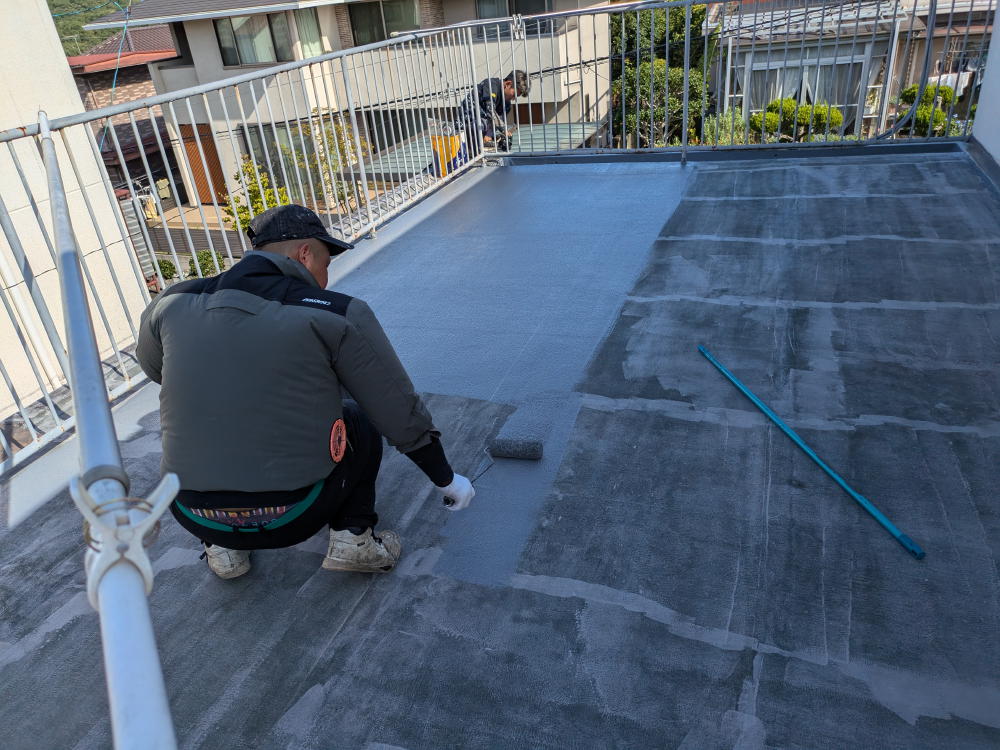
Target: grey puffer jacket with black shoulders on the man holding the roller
x,y
252,363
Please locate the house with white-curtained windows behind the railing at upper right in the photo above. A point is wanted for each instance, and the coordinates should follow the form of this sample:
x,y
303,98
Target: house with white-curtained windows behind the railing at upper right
x,y
844,54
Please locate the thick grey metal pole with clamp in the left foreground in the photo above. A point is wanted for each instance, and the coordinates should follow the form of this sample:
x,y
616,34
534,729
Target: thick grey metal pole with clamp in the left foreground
x,y
119,574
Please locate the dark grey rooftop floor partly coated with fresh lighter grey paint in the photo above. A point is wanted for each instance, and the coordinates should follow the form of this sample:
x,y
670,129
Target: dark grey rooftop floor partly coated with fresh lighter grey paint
x,y
674,572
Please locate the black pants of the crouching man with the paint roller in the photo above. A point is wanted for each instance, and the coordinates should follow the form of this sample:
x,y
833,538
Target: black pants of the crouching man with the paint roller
x,y
347,499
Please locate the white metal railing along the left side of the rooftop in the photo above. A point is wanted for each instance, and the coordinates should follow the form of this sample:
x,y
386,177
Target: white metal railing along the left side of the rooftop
x,y
162,189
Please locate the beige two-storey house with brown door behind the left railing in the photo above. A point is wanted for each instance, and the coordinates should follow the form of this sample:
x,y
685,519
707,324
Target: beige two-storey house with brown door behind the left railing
x,y
219,39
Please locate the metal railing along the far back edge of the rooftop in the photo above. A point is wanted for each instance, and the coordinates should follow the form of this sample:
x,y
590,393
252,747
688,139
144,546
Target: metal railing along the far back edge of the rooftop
x,y
662,76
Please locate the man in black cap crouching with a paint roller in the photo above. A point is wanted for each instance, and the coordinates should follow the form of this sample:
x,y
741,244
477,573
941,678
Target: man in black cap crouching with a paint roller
x,y
253,364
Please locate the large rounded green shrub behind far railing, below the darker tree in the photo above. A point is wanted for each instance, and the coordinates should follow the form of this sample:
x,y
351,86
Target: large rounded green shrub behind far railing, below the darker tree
x,y
656,125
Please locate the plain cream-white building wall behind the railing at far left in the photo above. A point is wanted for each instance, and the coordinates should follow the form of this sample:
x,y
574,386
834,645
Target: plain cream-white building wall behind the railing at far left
x,y
29,40
